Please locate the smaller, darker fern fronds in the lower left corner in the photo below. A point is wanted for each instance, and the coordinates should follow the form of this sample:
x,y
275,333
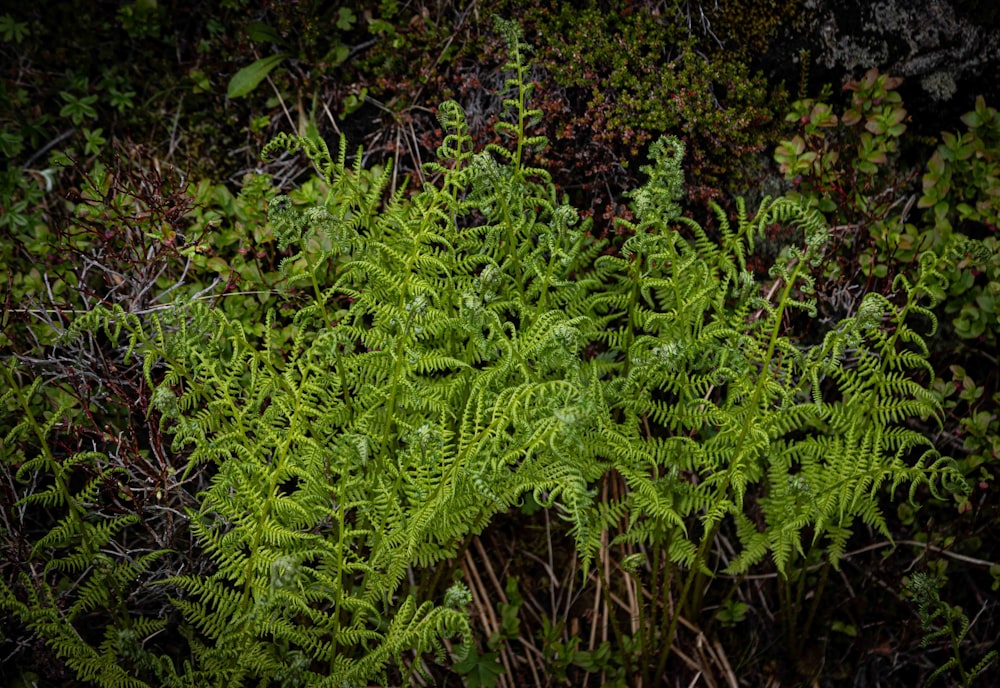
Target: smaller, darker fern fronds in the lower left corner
x,y
76,583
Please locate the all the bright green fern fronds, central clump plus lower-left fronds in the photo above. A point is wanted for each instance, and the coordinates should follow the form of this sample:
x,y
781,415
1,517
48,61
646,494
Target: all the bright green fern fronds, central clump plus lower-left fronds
x,y
459,349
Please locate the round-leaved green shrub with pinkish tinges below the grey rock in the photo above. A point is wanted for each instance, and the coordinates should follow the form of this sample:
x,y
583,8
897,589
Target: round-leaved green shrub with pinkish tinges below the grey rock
x,y
848,167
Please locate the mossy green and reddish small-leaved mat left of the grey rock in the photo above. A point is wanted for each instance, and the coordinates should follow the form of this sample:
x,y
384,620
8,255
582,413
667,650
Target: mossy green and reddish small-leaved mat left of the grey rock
x,y
623,75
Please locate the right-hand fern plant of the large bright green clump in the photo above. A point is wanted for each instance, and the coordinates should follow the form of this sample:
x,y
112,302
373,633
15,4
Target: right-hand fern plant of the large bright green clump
x,y
724,417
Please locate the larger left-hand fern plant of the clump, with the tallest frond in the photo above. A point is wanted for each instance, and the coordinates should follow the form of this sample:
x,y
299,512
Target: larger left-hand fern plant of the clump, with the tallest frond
x,y
425,390
